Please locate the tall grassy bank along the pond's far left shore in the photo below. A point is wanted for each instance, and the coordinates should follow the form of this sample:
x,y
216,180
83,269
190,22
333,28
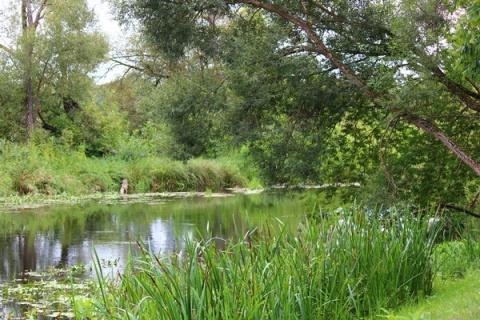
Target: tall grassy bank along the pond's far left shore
x,y
45,168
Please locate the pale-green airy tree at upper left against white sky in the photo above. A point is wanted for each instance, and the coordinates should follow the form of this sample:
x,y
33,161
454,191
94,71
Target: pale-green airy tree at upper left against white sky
x,y
54,47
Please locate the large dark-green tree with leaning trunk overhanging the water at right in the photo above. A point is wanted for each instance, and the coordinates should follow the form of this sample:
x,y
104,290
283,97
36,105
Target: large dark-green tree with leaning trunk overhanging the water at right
x,y
382,94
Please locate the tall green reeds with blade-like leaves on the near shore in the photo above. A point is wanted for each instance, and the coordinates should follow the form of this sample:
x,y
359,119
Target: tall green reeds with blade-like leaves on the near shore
x,y
346,269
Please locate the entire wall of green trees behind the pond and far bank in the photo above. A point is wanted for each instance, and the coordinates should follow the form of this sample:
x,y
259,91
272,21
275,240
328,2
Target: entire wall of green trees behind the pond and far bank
x,y
310,92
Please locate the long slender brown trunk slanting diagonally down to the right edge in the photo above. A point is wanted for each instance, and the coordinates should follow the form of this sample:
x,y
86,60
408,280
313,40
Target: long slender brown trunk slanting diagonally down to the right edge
x,y
423,125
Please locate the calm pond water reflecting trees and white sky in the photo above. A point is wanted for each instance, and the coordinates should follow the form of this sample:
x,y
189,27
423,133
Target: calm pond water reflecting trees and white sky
x,y
66,235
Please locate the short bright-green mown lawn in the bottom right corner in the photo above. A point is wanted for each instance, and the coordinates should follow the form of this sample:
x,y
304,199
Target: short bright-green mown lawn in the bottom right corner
x,y
451,299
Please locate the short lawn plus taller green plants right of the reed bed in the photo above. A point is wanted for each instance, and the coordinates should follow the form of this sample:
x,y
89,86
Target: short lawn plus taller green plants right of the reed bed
x,y
456,290
